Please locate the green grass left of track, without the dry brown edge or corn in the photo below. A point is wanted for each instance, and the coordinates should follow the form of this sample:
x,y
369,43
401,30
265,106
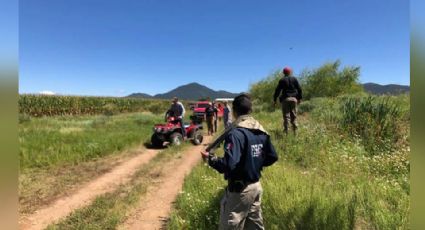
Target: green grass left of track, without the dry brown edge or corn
x,y
46,142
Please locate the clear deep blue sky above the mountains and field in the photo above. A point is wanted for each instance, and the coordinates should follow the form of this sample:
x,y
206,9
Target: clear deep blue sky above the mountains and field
x,y
114,48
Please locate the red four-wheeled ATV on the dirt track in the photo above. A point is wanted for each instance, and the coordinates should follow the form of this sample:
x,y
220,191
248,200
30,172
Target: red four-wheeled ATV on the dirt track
x,y
172,132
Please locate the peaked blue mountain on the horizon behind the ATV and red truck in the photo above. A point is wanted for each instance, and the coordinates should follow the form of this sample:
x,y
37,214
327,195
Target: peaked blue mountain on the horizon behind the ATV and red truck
x,y
191,91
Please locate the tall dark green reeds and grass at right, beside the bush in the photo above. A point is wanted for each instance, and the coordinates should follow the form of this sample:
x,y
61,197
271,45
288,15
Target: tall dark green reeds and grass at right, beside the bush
x,y
381,123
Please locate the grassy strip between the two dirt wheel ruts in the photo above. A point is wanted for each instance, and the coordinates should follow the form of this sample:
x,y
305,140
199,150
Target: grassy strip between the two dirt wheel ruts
x,y
112,209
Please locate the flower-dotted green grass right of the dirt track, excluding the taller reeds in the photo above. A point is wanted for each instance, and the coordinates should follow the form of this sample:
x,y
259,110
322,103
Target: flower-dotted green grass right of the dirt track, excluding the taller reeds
x,y
323,180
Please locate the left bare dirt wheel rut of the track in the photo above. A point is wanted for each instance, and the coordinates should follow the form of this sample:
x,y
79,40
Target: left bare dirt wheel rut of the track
x,y
108,182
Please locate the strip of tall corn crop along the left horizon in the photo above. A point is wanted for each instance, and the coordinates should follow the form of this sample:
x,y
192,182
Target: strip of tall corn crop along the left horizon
x,y
44,105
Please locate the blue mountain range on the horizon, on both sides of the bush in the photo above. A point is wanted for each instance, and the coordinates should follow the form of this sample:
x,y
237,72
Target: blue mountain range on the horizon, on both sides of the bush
x,y
196,91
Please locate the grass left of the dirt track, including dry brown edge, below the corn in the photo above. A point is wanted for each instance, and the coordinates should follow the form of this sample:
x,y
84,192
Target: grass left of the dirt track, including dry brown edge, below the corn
x,y
57,154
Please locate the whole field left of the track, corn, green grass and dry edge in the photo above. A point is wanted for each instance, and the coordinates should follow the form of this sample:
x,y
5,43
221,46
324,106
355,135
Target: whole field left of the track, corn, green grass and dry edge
x,y
58,153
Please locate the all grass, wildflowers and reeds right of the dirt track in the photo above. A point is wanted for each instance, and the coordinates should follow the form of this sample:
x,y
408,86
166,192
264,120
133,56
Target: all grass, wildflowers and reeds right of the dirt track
x,y
326,178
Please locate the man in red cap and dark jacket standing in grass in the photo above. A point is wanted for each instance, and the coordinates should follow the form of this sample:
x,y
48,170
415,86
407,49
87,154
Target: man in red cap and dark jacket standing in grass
x,y
290,97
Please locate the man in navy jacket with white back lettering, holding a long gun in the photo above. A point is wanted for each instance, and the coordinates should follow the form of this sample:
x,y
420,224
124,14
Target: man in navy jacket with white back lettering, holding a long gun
x,y
247,150
